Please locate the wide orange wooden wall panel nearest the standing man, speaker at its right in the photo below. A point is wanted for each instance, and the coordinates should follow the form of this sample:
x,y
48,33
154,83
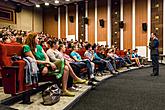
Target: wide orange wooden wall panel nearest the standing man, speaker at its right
x,y
141,17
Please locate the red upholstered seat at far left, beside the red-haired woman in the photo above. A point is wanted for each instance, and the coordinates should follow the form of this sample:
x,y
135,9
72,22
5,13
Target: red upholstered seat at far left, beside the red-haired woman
x,y
12,72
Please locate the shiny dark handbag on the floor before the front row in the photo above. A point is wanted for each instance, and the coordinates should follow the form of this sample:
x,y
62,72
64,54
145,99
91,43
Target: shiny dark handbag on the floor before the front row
x,y
51,95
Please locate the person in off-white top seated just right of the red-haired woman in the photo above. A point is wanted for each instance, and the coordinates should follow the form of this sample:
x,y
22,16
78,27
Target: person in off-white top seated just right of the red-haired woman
x,y
56,57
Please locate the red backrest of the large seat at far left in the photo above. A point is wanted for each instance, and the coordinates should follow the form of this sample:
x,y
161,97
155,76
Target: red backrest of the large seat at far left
x,y
7,51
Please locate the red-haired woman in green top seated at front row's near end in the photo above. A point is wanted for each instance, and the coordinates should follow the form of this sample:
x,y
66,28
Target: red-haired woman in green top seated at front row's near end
x,y
35,51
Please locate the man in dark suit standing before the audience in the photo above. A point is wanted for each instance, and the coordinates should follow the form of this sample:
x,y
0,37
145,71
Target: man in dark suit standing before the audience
x,y
153,45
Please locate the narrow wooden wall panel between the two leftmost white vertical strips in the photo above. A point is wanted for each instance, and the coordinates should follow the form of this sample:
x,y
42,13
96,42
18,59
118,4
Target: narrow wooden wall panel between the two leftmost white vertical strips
x,y
63,22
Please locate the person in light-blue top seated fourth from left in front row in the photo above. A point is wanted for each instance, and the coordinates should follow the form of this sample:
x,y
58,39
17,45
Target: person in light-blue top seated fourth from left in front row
x,y
90,65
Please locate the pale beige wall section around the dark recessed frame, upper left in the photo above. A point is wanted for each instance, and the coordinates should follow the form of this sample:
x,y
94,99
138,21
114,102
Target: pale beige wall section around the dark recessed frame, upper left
x,y
25,19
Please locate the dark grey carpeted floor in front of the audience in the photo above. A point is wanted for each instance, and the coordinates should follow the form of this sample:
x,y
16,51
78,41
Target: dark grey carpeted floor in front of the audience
x,y
133,90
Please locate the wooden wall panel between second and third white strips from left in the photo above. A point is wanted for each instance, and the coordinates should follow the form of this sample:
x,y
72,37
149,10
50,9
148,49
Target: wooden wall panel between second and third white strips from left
x,y
72,26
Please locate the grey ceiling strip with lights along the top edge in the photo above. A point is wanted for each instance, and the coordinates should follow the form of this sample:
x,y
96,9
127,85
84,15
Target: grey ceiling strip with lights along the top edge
x,y
33,2
